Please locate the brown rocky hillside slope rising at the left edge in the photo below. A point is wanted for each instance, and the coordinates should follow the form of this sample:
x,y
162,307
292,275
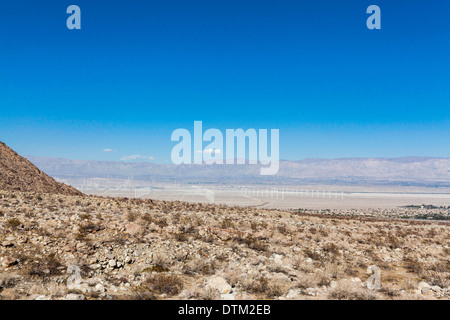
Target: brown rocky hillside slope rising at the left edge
x,y
19,174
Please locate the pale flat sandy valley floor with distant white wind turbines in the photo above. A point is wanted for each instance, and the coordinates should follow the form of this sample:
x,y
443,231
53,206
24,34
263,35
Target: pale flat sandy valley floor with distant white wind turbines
x,y
307,197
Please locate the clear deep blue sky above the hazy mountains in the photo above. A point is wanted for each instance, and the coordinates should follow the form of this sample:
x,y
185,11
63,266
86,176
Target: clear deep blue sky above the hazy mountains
x,y
137,70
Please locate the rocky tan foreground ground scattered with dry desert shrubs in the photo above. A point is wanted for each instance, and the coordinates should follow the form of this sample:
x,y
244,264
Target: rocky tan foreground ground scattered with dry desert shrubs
x,y
86,247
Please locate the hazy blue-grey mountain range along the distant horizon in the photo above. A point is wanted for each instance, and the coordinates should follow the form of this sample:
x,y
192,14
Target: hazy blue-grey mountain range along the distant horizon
x,y
418,171
